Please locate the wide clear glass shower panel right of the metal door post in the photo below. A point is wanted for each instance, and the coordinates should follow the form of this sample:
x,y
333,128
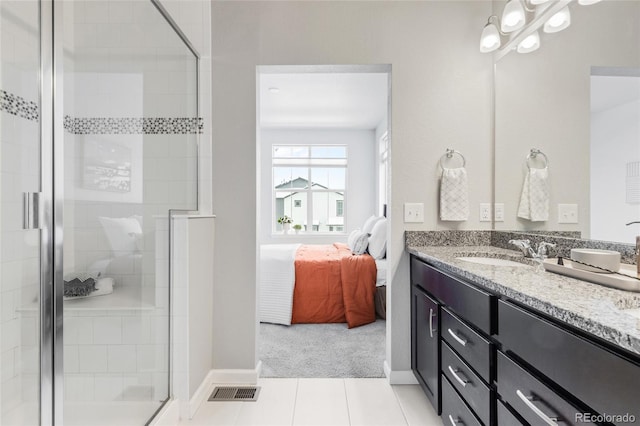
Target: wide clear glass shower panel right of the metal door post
x,y
130,156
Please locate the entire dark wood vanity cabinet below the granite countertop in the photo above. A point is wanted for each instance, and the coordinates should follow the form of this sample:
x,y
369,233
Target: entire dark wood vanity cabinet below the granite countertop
x,y
500,363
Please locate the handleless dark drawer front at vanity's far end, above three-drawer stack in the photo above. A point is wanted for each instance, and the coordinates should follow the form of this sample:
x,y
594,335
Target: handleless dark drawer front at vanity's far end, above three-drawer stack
x,y
467,301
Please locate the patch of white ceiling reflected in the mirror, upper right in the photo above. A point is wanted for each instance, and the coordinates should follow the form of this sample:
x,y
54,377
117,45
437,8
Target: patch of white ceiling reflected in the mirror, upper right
x,y
610,91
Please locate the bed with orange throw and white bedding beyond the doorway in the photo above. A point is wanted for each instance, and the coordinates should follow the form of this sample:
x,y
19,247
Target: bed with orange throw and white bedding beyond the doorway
x,y
304,283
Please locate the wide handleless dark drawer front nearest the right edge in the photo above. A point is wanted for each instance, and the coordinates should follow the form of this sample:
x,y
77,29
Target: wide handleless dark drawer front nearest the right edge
x,y
601,379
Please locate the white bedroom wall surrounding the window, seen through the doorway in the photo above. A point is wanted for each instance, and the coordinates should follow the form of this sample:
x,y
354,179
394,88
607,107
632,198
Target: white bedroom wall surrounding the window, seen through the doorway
x,y
361,183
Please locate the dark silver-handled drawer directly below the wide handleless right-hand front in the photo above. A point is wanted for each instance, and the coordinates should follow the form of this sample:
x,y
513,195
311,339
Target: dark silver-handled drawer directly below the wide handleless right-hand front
x,y
532,399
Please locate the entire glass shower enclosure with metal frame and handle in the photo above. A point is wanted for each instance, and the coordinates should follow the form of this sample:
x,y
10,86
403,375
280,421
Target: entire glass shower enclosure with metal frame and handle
x,y
98,145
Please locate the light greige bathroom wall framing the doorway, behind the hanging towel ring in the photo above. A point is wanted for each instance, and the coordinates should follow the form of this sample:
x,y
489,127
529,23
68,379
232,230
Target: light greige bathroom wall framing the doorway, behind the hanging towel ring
x,y
441,92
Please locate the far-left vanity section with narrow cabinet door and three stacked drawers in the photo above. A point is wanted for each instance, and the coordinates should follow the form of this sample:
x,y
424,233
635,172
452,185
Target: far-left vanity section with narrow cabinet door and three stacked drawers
x,y
456,319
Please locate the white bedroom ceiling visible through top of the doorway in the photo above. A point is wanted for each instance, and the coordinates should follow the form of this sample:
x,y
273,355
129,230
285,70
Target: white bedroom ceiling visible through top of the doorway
x,y
323,100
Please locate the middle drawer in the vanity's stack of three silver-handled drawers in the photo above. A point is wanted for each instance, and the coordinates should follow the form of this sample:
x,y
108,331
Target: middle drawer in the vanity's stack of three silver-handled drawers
x,y
473,390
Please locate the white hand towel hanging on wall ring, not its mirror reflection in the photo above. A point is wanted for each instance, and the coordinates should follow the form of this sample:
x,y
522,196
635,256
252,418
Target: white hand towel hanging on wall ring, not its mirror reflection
x,y
454,195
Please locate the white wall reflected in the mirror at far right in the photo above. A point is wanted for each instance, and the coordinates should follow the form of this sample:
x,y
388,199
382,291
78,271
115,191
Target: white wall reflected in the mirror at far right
x,y
615,141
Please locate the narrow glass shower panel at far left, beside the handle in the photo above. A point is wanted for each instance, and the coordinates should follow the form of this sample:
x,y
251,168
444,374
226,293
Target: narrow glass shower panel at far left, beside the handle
x,y
20,118
